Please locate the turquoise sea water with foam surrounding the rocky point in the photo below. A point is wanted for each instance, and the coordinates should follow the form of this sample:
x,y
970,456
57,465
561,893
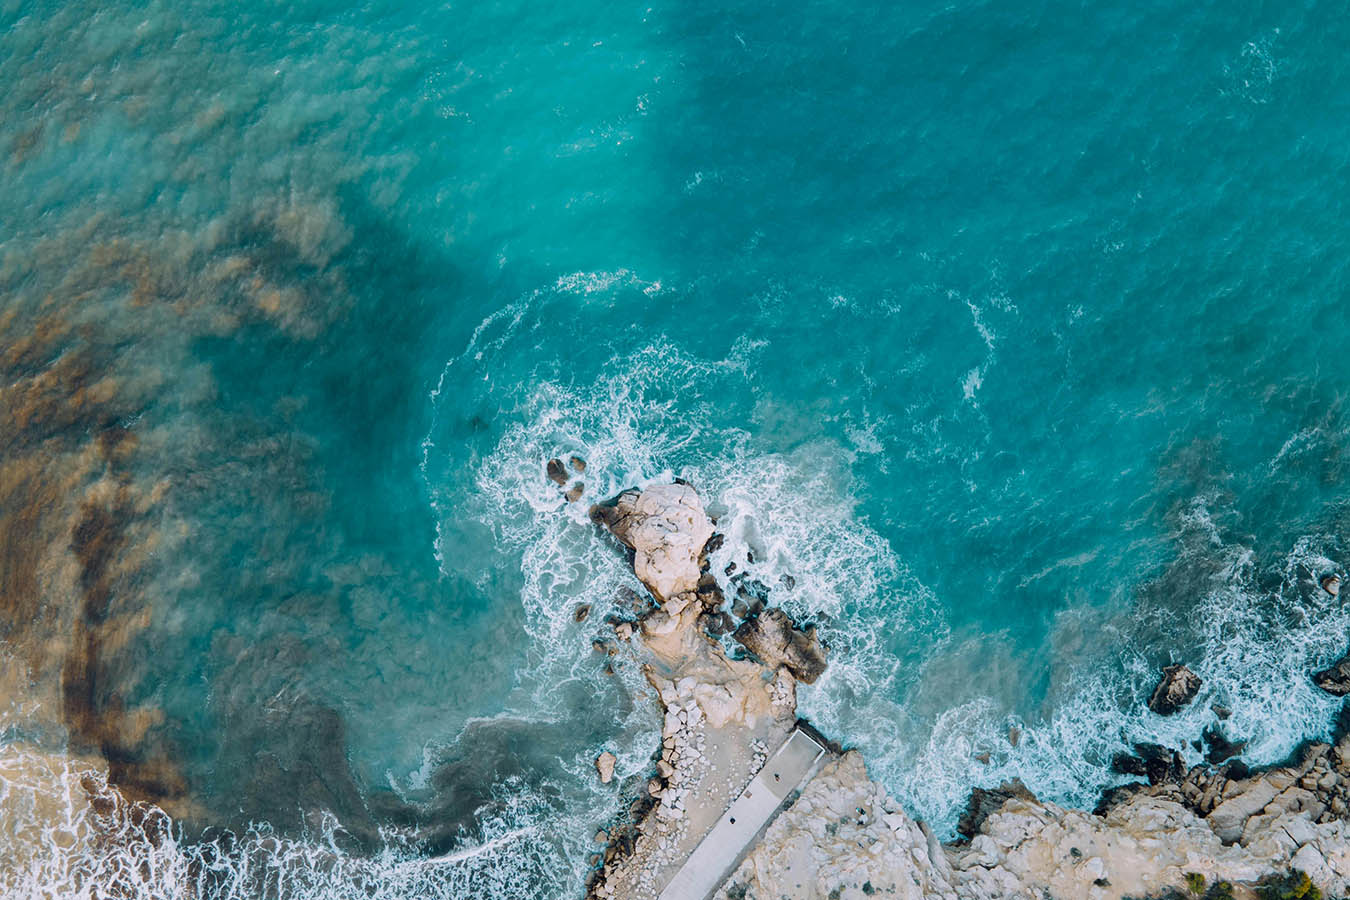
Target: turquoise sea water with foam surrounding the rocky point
x,y
1008,339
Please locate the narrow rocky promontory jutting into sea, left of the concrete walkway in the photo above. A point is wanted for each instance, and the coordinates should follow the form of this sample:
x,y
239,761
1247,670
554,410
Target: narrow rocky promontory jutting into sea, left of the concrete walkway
x,y
722,716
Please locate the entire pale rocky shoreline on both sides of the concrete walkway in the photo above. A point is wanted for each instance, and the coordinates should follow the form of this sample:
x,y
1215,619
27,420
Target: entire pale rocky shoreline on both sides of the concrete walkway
x,y
1218,829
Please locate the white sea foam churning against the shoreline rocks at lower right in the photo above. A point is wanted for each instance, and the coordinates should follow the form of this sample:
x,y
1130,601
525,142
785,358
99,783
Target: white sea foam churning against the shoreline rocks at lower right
x,y
1252,647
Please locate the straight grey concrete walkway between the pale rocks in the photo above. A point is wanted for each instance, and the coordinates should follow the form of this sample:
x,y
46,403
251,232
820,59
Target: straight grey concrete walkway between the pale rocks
x,y
740,828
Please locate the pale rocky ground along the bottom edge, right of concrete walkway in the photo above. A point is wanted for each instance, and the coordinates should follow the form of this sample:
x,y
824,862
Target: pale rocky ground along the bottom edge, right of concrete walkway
x,y
846,840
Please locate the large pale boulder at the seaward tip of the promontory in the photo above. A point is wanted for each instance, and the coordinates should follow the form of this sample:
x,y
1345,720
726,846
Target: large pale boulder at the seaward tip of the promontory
x,y
666,528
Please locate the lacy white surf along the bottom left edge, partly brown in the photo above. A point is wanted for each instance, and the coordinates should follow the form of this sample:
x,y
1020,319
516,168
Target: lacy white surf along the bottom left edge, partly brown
x,y
56,845
